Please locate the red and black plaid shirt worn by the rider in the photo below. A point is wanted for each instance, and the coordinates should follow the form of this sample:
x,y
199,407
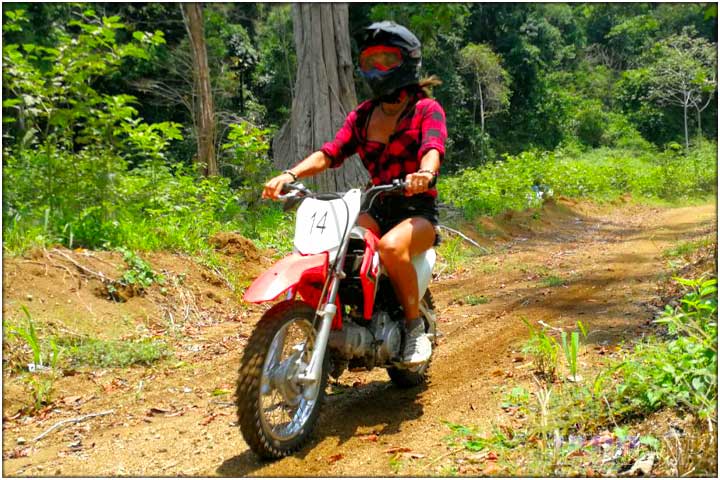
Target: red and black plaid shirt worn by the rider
x,y
421,127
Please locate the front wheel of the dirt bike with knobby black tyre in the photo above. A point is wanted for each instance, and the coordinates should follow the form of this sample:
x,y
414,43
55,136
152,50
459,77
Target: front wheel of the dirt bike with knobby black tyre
x,y
276,413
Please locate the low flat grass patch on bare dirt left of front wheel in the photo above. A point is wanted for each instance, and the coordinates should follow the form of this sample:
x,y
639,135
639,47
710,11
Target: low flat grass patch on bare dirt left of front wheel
x,y
114,353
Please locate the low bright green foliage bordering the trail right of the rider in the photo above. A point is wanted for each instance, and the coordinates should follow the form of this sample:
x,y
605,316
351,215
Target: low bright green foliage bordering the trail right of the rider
x,y
602,174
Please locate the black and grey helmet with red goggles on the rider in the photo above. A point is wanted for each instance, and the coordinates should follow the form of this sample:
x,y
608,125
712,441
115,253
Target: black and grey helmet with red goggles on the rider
x,y
390,59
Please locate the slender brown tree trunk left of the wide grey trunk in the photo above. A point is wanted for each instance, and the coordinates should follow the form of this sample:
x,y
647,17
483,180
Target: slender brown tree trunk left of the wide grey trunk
x,y
205,110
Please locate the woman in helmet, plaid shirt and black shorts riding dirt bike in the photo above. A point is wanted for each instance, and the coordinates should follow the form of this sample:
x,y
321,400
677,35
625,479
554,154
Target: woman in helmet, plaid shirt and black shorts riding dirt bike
x,y
399,134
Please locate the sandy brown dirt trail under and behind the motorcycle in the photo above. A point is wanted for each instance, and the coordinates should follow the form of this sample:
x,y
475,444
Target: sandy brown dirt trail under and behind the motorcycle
x,y
608,260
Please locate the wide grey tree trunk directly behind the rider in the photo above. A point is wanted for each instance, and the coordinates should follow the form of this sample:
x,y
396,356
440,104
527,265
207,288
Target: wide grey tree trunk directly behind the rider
x,y
324,93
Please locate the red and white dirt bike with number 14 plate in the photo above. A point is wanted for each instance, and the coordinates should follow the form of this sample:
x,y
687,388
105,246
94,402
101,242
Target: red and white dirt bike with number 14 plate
x,y
348,317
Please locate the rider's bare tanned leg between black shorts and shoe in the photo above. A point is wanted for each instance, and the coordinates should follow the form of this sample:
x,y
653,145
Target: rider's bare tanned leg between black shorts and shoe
x,y
407,239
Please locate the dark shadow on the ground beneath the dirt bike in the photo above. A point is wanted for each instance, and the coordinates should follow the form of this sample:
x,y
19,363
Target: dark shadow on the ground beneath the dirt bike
x,y
376,407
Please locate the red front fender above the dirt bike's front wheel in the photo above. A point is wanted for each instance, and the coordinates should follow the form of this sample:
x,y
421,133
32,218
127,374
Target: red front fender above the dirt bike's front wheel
x,y
285,274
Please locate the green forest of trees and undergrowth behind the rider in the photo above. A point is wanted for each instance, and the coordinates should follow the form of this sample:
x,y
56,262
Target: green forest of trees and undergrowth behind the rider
x,y
101,118
